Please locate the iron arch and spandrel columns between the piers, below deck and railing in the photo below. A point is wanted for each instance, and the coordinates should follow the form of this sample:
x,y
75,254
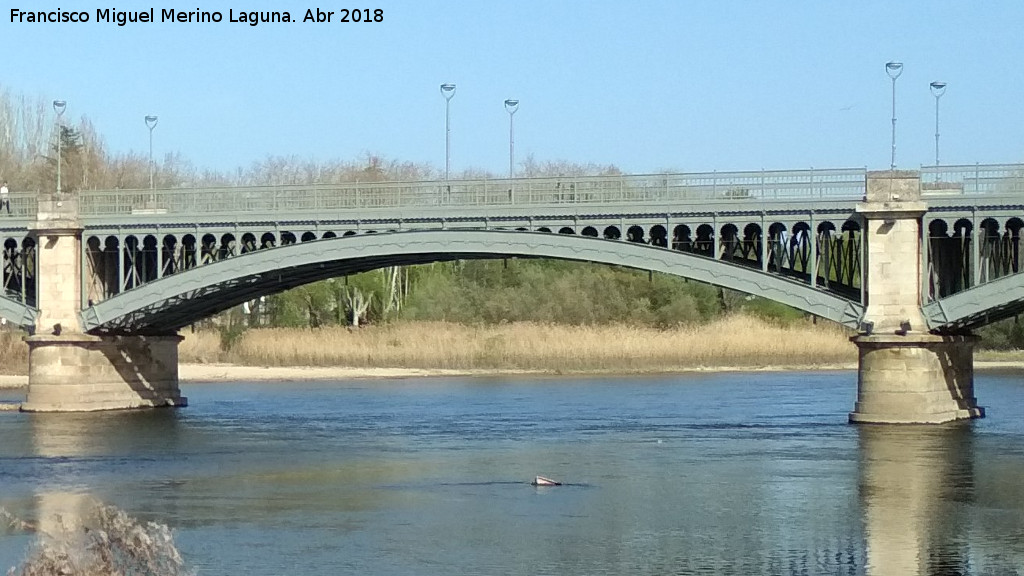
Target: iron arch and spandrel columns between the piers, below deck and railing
x,y
115,271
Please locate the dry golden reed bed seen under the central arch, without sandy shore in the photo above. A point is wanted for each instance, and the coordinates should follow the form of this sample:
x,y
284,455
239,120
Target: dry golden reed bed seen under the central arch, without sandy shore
x,y
737,342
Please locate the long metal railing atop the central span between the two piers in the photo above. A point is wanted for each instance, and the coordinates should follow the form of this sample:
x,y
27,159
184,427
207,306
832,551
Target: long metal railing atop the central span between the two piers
x,y
679,188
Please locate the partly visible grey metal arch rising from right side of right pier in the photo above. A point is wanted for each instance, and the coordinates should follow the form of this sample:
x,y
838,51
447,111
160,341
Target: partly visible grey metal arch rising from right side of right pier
x,y
989,303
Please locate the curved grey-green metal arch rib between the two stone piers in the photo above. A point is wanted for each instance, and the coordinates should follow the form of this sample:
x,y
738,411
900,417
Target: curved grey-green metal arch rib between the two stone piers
x,y
175,302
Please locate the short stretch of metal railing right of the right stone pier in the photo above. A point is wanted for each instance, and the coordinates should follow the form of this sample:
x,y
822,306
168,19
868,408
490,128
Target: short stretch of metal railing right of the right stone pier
x,y
971,180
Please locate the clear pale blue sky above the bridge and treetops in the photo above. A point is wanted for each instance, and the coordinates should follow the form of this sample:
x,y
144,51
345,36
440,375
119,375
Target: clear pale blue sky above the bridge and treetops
x,y
646,86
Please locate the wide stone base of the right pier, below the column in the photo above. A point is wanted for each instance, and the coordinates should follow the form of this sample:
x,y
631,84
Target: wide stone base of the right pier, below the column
x,y
915,379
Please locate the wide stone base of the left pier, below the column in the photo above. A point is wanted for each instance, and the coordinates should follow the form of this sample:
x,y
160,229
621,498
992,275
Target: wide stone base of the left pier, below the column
x,y
80,374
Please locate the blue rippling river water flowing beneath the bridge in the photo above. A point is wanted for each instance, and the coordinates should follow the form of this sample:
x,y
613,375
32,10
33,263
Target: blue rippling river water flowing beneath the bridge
x,y
720,474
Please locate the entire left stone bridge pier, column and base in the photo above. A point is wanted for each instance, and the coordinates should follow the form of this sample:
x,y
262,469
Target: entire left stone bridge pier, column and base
x,y
72,372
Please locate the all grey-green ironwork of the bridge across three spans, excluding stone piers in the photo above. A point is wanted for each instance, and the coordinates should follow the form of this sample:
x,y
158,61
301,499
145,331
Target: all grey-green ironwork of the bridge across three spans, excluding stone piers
x,y
793,236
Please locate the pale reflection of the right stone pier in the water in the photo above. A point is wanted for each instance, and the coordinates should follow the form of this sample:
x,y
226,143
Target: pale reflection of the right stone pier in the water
x,y
913,482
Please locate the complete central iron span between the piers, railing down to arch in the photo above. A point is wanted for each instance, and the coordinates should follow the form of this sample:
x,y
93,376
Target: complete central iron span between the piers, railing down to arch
x,y
745,231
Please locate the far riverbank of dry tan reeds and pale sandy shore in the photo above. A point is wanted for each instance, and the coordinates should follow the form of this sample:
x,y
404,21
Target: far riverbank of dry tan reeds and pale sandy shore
x,y
438,349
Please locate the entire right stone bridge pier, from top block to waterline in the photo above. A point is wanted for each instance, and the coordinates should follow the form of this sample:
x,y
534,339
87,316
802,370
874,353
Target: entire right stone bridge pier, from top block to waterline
x,y
906,375
